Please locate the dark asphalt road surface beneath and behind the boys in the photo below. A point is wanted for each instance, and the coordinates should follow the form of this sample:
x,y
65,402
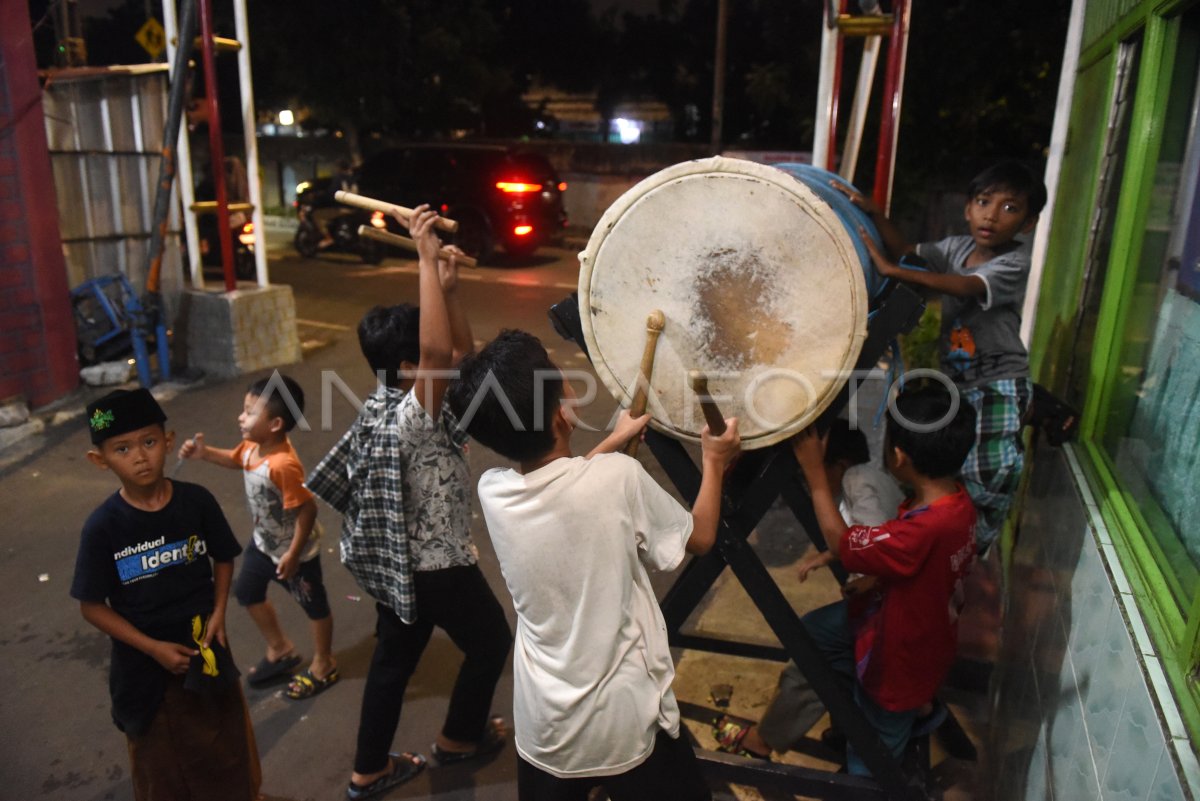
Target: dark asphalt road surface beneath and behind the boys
x,y
56,732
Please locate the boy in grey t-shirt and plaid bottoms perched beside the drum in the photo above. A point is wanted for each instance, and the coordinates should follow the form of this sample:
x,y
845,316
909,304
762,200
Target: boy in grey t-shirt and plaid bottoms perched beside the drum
x,y
982,279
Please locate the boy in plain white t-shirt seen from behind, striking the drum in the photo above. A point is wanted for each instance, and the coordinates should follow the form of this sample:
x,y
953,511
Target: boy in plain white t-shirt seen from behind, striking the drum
x,y
592,667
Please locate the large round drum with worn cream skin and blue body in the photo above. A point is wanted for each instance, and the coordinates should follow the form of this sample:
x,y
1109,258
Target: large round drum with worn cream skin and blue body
x,y
764,284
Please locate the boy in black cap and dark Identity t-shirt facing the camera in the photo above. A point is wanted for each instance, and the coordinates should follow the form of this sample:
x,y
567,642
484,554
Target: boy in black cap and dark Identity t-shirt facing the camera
x,y
145,577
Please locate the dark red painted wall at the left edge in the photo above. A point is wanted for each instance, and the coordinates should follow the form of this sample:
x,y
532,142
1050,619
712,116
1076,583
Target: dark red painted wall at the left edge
x,y
38,339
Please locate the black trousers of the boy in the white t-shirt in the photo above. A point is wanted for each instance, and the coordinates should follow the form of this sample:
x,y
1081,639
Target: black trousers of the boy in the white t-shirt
x,y
671,772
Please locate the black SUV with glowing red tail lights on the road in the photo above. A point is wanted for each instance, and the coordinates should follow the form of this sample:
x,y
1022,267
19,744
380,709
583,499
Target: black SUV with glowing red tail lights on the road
x,y
501,196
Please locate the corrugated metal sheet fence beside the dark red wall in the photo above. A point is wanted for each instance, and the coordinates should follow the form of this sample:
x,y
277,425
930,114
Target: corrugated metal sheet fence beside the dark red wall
x,y
106,134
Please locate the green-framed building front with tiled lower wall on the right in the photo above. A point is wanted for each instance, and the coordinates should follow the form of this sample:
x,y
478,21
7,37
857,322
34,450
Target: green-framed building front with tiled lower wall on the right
x,y
1097,695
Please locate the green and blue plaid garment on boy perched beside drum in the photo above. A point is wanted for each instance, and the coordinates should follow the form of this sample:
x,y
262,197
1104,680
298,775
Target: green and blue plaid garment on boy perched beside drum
x,y
993,469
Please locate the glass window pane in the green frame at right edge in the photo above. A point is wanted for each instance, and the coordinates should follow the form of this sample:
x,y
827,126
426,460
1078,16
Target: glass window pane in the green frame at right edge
x,y
1153,419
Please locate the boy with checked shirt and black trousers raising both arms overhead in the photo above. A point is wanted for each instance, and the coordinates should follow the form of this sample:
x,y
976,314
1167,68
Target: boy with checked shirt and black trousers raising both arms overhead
x,y
400,480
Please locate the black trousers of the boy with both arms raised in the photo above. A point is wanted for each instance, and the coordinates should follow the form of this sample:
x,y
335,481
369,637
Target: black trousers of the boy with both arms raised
x,y
459,601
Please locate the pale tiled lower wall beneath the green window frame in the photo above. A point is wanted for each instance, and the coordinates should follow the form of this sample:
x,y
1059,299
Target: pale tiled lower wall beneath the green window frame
x,y
1076,719
